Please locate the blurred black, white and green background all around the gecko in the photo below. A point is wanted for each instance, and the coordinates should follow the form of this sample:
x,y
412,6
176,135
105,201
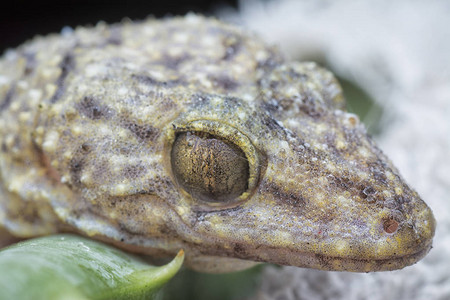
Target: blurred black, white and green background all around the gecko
x,y
393,60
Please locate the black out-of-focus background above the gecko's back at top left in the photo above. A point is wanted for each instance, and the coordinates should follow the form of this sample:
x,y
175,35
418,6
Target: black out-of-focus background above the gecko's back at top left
x,y
22,19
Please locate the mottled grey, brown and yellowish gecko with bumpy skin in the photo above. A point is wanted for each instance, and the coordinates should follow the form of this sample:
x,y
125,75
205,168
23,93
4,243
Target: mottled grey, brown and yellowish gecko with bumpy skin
x,y
87,123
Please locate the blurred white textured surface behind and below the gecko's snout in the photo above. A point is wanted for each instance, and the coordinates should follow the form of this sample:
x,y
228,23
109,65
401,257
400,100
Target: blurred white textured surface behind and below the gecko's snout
x,y
400,53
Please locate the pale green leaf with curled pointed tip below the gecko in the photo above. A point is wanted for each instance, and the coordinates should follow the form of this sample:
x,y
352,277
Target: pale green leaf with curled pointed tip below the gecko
x,y
72,267
